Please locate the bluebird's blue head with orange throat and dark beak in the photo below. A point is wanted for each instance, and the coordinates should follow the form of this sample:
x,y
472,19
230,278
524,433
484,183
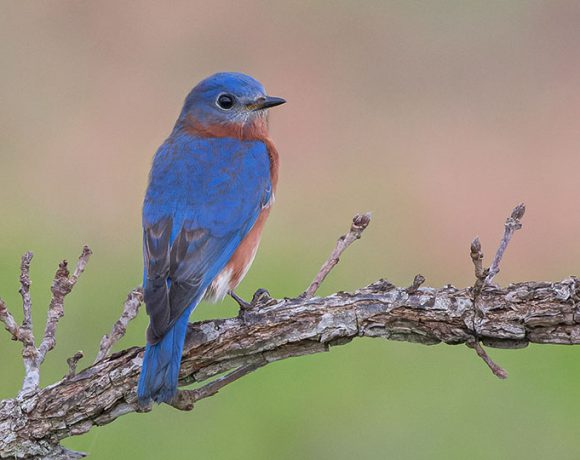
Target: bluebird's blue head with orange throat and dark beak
x,y
227,104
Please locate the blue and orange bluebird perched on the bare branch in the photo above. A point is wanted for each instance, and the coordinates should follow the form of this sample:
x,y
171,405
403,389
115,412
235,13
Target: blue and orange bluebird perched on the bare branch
x,y
211,187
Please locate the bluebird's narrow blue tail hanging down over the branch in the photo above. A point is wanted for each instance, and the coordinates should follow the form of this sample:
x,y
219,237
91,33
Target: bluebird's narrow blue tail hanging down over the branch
x,y
161,362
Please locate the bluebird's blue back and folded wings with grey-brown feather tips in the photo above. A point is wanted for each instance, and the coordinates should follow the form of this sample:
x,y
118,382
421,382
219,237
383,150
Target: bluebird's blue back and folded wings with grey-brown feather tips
x,y
204,196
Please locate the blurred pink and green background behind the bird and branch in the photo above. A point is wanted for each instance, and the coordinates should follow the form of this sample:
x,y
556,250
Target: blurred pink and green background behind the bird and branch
x,y
436,116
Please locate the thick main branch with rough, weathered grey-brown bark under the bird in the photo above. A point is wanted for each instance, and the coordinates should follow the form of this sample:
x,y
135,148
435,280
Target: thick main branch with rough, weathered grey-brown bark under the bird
x,y
512,317
